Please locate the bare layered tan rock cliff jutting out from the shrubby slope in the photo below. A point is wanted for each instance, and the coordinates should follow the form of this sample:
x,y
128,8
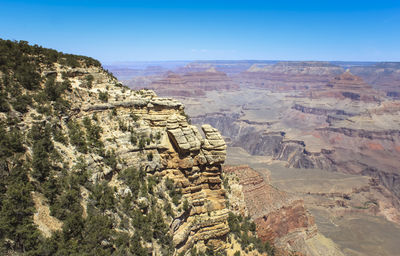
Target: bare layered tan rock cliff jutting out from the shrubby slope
x,y
181,154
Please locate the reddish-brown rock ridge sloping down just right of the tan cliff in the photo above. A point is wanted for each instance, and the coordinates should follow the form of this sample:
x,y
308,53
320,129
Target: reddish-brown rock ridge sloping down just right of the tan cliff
x,y
280,218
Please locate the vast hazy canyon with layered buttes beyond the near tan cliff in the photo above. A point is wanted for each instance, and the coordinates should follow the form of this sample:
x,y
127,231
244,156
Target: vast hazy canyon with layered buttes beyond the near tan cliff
x,y
327,133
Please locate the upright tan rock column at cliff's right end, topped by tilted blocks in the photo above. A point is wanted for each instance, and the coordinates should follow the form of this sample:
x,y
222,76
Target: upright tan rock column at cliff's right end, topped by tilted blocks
x,y
198,170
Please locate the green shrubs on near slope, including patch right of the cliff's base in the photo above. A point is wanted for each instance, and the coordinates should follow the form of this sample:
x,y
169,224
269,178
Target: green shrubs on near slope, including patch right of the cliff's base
x,y
37,127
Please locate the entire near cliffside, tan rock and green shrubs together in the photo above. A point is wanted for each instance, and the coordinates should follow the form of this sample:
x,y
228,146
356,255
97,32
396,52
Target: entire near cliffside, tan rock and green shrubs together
x,y
101,156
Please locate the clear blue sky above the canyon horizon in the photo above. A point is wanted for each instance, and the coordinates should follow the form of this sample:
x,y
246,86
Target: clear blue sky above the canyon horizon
x,y
191,30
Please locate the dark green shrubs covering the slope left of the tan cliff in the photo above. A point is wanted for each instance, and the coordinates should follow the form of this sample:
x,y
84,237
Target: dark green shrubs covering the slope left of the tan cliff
x,y
29,161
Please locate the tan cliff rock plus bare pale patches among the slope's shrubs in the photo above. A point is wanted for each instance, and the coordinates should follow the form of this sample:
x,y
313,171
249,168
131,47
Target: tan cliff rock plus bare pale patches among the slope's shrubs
x,y
152,134
